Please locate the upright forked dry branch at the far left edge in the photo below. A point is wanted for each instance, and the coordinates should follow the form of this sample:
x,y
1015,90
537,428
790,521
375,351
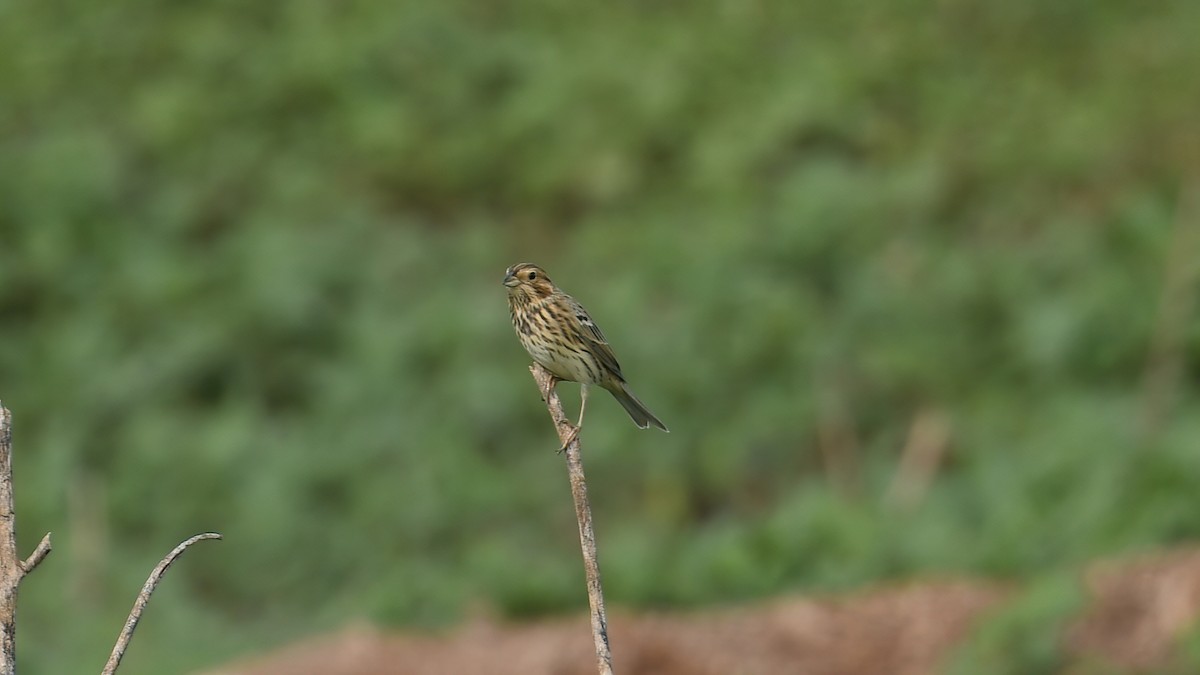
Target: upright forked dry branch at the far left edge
x,y
11,568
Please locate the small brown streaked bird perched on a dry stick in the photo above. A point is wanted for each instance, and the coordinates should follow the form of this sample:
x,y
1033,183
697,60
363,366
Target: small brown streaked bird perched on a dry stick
x,y
559,334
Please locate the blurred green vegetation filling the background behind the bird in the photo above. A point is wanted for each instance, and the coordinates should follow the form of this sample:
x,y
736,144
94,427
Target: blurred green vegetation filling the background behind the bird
x,y
250,264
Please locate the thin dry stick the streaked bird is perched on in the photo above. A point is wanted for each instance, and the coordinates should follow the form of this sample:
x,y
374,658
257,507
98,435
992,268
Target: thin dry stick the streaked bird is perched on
x,y
584,515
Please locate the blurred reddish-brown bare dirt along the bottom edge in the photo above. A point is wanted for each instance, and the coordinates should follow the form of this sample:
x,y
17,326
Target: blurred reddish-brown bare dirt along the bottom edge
x,y
1137,612
